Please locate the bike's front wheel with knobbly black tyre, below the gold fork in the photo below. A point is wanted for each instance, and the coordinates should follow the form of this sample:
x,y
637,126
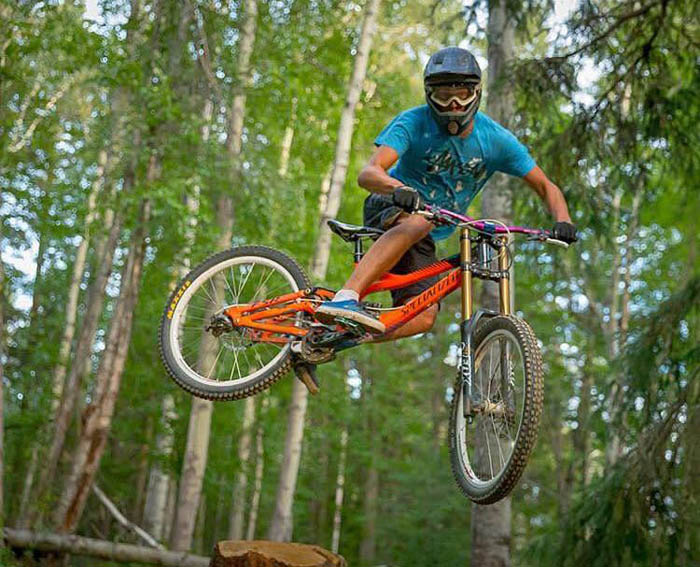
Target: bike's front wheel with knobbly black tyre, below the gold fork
x,y
489,449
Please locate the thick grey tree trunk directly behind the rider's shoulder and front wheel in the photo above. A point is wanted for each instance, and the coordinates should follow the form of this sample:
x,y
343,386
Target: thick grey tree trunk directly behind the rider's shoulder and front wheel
x,y
490,526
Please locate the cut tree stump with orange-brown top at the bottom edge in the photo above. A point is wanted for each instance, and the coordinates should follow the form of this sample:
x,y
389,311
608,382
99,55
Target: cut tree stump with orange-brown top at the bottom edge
x,y
273,554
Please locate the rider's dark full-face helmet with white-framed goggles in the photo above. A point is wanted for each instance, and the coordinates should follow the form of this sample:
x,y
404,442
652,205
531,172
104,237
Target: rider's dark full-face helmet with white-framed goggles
x,y
452,81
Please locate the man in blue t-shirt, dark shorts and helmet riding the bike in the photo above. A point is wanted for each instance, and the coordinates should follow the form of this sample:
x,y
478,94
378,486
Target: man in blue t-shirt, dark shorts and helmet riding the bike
x,y
442,154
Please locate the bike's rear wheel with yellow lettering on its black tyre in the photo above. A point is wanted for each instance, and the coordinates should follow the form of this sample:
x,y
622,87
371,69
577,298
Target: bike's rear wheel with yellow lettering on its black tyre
x,y
231,365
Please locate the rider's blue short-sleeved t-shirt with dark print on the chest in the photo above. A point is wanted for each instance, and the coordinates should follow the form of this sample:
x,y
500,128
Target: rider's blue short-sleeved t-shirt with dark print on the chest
x,y
449,171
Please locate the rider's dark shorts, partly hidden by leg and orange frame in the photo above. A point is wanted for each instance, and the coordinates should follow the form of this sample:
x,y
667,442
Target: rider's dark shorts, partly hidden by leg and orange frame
x,y
380,212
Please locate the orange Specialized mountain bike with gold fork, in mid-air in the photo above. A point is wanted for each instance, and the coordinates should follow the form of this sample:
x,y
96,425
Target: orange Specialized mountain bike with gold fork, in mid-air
x,y
242,319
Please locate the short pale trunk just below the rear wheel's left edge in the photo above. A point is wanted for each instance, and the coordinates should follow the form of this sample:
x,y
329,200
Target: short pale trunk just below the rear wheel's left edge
x,y
159,480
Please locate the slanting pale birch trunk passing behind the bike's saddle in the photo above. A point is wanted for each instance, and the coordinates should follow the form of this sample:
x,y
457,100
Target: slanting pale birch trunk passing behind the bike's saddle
x,y
281,525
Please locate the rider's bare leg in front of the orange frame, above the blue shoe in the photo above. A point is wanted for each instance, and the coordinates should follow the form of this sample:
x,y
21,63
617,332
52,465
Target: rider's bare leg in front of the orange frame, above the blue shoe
x,y
387,250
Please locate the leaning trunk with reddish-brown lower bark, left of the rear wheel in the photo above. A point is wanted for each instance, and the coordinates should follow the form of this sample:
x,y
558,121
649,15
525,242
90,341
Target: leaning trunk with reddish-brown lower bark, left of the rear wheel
x,y
97,417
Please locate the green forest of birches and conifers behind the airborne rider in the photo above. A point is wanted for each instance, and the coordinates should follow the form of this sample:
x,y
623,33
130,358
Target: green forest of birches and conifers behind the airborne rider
x,y
132,132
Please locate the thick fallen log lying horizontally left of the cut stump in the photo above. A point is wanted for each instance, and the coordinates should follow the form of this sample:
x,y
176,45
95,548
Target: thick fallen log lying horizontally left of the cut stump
x,y
108,550
